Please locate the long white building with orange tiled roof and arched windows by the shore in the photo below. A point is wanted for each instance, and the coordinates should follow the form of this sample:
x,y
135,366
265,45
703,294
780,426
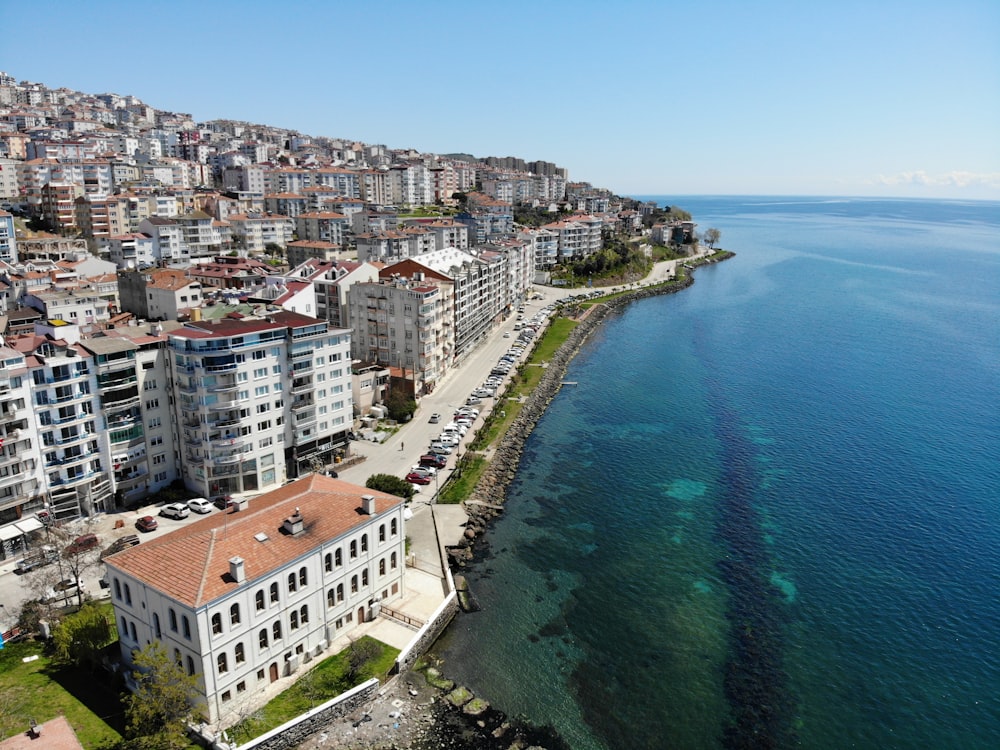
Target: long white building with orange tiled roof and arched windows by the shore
x,y
243,600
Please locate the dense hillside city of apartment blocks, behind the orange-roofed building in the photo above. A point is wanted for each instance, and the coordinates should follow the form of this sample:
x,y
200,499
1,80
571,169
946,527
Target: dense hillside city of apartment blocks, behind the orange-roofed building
x,y
217,305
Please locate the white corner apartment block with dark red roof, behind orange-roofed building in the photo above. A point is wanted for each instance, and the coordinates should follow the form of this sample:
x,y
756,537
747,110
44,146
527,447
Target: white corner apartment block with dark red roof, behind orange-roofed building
x,y
259,399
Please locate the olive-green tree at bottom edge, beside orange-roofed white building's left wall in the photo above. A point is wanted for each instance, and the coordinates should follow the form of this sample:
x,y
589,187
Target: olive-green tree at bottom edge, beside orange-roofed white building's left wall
x,y
162,702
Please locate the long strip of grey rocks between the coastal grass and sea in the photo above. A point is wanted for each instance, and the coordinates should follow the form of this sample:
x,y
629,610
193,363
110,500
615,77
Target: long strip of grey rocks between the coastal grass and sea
x,y
487,499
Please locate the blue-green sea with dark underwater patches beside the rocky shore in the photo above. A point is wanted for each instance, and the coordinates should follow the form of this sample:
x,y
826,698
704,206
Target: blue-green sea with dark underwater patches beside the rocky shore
x,y
766,513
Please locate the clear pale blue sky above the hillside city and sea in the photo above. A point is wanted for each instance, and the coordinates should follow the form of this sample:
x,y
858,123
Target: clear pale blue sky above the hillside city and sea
x,y
876,97
